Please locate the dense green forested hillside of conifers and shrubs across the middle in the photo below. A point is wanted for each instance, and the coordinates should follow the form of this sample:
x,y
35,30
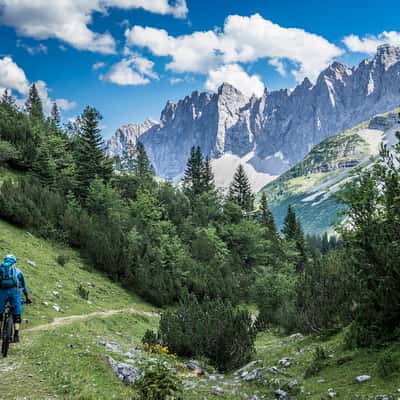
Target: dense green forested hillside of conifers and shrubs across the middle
x,y
201,252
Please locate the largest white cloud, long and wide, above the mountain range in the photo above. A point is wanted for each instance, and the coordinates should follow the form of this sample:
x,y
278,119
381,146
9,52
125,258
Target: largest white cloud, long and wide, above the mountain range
x,y
242,40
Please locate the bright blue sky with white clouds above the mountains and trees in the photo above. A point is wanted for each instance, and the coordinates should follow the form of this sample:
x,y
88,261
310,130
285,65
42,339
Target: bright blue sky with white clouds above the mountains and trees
x,y
128,57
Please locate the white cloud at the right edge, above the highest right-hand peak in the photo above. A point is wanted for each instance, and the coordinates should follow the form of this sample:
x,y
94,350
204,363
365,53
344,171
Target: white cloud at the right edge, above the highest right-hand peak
x,y
369,43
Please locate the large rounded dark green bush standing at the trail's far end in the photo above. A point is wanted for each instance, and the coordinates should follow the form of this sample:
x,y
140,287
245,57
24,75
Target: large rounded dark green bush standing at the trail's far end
x,y
213,329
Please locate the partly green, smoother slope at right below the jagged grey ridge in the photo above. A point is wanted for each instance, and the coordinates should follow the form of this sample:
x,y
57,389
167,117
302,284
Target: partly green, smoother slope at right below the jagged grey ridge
x,y
310,185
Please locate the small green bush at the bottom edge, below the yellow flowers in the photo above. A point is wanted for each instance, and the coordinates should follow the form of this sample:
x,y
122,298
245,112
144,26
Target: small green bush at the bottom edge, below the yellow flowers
x,y
159,382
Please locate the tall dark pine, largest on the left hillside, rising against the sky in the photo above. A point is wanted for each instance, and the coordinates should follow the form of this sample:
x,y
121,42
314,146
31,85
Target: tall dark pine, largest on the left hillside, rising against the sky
x,y
90,158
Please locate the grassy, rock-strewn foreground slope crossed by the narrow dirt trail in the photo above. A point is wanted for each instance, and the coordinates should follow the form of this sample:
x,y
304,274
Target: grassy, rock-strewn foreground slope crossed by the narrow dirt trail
x,y
69,359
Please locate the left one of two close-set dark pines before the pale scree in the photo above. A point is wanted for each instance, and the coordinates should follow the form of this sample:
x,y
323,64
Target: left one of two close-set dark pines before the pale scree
x,y
193,180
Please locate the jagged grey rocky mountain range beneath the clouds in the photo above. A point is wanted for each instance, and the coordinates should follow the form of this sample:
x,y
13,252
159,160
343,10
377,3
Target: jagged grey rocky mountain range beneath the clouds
x,y
271,133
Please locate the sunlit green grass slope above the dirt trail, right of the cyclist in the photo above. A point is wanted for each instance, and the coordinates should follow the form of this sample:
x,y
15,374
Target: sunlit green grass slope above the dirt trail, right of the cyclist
x,y
48,277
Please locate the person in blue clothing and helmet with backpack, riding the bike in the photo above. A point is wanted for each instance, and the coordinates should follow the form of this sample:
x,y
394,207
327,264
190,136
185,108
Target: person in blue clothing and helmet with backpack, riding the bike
x,y
12,282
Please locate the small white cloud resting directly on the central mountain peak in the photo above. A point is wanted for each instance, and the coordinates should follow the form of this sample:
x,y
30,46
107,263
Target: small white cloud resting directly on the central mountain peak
x,y
237,77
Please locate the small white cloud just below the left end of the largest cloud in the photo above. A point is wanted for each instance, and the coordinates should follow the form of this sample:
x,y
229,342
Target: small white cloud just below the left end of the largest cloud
x,y
131,71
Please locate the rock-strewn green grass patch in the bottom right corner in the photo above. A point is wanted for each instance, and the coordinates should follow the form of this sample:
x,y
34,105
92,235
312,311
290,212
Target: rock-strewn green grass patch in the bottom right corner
x,y
340,370
